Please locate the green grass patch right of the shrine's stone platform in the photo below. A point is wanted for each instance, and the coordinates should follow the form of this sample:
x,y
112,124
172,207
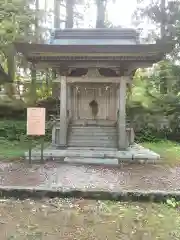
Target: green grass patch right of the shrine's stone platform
x,y
169,151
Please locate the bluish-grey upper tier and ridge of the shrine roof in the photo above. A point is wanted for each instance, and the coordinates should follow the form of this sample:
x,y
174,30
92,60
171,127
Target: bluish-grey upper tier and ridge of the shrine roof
x,y
94,37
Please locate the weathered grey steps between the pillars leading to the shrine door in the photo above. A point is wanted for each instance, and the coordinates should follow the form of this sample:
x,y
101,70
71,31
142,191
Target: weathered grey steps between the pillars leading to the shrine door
x,y
93,136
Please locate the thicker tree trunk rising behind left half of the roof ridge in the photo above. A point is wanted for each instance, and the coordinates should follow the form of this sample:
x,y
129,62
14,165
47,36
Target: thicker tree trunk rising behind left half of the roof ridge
x,y
69,13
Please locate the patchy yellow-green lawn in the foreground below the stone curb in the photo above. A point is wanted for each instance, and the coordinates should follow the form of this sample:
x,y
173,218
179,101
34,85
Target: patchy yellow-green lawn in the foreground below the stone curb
x,y
71,219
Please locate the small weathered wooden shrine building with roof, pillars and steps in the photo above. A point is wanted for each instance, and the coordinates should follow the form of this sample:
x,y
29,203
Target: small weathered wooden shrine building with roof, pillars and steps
x,y
93,70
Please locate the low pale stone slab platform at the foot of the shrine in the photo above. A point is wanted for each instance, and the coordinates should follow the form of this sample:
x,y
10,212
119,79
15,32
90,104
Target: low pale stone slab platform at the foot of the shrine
x,y
107,156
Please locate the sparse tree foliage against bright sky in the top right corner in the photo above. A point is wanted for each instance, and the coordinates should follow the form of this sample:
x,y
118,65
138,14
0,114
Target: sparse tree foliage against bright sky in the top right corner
x,y
164,17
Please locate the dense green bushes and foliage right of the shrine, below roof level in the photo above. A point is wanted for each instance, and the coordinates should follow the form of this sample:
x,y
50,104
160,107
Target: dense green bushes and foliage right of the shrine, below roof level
x,y
154,113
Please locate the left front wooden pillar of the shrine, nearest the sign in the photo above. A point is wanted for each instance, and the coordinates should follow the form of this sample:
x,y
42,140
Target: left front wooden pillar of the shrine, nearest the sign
x,y
63,112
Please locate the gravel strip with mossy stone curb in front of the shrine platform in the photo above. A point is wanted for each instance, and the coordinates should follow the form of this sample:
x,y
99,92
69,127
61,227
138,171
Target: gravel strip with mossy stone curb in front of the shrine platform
x,y
52,179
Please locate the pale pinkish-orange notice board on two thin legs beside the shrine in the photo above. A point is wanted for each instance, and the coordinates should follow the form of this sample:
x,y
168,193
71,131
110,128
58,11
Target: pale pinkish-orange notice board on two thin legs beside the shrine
x,y
36,120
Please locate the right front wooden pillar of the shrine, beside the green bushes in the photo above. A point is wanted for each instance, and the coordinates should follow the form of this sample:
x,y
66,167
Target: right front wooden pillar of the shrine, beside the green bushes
x,y
122,114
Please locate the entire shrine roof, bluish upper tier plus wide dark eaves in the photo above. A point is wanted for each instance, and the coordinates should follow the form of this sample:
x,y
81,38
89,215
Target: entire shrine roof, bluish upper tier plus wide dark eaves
x,y
94,45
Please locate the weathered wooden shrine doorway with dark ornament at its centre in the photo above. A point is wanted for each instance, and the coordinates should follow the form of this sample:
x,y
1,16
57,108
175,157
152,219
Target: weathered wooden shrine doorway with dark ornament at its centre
x,y
94,101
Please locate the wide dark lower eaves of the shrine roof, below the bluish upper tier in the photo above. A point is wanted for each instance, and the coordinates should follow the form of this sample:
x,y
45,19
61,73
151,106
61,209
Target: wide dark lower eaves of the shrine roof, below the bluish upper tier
x,y
42,51
